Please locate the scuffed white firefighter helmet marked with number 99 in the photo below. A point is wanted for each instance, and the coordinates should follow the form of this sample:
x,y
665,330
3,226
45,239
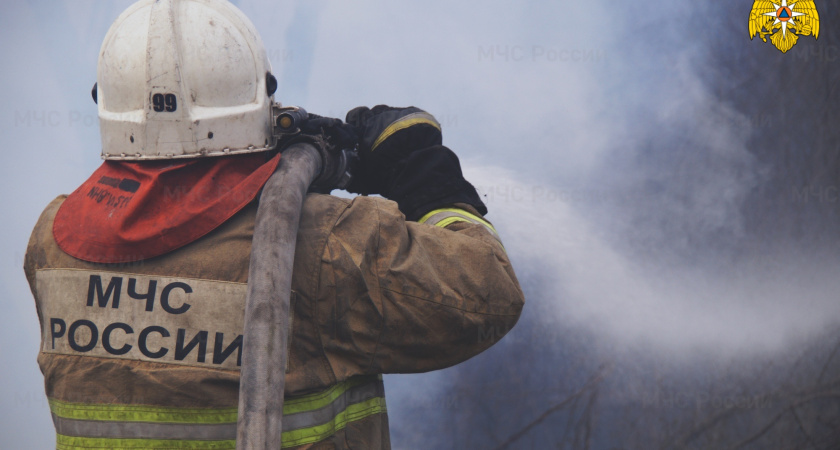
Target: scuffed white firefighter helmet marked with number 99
x,y
183,79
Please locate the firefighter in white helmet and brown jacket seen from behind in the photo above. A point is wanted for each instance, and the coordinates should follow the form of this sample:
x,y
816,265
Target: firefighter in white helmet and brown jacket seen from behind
x,y
139,276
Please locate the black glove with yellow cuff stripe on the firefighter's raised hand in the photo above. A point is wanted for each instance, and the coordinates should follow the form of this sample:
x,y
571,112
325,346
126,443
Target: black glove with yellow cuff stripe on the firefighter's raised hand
x,y
401,158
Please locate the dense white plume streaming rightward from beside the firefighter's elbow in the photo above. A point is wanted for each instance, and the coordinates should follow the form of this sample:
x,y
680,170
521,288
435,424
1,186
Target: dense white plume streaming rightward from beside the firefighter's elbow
x,y
751,307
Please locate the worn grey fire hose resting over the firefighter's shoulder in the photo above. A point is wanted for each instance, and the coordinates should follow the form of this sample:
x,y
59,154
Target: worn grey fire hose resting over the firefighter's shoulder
x,y
267,333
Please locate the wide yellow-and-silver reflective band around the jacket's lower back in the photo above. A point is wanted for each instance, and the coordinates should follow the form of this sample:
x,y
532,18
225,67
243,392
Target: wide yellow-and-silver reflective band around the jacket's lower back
x,y
307,419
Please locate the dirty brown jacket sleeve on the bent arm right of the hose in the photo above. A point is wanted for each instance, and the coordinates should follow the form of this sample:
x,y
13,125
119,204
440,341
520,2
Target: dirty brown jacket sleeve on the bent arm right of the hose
x,y
396,296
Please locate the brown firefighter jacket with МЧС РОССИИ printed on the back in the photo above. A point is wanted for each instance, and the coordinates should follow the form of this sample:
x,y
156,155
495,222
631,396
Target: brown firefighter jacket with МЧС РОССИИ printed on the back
x,y
146,354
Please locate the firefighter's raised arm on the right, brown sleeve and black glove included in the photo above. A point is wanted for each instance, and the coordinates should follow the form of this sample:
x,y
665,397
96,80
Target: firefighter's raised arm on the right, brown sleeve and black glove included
x,y
416,285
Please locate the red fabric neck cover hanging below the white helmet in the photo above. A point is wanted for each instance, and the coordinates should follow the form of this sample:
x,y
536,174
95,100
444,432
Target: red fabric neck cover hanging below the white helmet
x,y
131,211
